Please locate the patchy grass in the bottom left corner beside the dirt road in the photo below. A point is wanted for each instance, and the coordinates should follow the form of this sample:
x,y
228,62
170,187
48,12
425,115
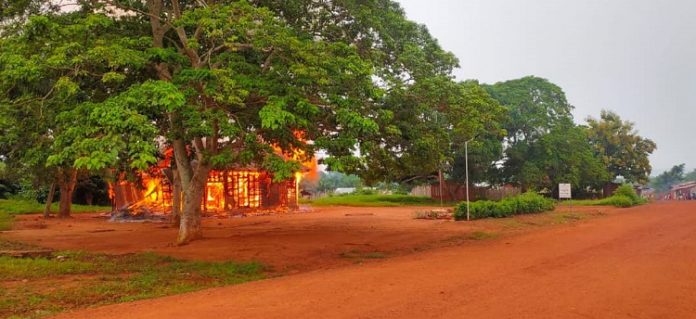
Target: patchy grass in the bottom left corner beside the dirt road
x,y
34,288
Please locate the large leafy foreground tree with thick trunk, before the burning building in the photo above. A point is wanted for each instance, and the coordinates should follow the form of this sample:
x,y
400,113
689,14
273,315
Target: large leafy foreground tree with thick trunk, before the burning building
x,y
231,81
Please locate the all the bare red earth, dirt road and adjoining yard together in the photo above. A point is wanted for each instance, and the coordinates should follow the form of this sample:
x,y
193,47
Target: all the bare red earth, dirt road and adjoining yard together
x,y
620,263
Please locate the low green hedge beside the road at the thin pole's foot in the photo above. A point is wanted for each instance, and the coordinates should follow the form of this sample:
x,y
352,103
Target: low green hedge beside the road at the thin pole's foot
x,y
526,203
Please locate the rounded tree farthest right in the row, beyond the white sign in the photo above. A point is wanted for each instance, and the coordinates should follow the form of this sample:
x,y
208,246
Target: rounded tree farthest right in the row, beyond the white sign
x,y
622,150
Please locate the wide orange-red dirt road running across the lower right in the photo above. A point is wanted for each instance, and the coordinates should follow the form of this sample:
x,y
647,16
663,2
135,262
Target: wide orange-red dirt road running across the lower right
x,y
639,263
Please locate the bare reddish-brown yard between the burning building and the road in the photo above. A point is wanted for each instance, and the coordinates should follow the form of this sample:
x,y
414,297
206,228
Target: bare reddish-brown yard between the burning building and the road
x,y
320,238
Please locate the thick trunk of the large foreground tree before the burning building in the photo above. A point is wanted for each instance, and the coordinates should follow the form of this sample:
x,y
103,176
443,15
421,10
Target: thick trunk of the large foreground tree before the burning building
x,y
190,223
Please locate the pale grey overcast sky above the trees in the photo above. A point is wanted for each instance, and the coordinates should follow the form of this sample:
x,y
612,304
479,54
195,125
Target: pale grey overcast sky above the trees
x,y
636,57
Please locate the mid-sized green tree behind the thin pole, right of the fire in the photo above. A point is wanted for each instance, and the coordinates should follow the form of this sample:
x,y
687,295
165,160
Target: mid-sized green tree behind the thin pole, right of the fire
x,y
428,127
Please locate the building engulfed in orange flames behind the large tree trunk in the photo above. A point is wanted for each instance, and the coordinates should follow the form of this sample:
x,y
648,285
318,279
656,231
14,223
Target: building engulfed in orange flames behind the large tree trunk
x,y
226,192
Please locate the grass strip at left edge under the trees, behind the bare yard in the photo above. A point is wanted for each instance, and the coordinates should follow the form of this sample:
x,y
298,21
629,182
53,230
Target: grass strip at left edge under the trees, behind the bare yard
x,y
11,207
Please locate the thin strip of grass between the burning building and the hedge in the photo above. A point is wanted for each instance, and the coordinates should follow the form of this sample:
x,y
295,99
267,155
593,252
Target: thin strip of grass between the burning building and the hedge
x,y
373,201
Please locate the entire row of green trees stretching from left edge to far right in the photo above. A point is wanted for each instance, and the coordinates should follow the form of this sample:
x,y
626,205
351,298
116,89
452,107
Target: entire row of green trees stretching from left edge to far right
x,y
101,86
